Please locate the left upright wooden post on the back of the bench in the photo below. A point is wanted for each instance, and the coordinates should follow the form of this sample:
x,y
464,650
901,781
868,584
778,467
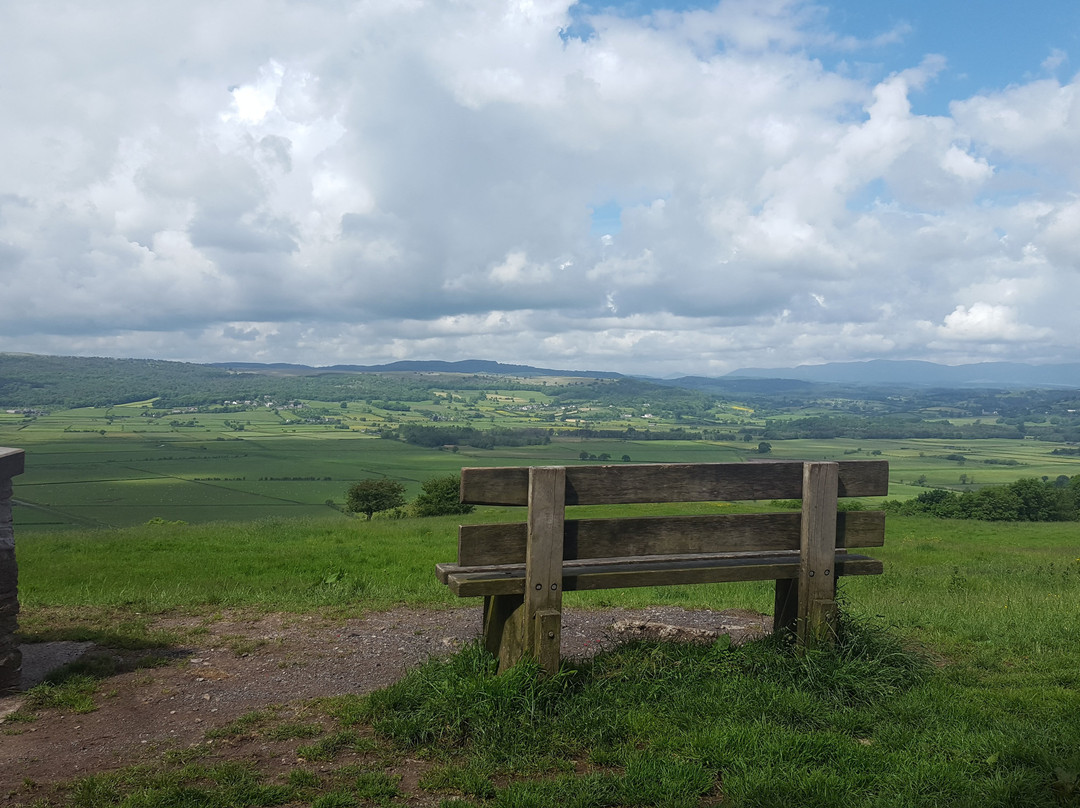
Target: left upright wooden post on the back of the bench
x,y
544,560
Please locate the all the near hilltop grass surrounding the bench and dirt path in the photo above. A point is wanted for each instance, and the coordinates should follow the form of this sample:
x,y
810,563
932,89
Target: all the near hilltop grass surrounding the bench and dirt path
x,y
958,683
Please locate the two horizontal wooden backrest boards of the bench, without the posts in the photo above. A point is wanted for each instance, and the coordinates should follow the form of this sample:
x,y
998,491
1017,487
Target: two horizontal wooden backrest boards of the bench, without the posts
x,y
631,536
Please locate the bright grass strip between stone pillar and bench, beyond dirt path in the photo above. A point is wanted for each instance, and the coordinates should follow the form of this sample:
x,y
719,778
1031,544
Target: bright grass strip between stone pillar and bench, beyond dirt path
x,y
292,565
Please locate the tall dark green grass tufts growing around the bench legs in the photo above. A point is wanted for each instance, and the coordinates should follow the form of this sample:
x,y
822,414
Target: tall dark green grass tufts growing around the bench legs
x,y
626,696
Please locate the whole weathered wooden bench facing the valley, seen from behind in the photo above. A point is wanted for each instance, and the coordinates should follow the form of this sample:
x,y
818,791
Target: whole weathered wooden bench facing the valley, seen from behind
x,y
522,570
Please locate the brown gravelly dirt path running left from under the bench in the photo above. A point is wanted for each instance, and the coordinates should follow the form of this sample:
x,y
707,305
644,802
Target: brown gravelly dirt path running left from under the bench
x,y
236,666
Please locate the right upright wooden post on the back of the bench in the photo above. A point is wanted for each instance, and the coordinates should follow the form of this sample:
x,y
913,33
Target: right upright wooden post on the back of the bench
x,y
818,555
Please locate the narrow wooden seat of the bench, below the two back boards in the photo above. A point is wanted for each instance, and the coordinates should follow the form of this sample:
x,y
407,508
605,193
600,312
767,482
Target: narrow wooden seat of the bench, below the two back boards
x,y
647,572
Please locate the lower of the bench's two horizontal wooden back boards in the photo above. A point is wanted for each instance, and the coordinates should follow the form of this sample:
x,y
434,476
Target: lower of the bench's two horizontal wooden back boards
x,y
602,538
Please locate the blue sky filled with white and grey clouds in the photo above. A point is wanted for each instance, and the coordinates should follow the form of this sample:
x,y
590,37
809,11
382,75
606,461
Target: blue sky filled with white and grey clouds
x,y
647,187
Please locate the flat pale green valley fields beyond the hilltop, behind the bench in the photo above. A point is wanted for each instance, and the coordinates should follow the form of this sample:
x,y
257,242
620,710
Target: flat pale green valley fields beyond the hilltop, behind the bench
x,y
128,465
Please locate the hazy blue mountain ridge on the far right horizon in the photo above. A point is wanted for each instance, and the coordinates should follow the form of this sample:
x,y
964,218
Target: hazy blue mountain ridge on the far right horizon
x,y
913,373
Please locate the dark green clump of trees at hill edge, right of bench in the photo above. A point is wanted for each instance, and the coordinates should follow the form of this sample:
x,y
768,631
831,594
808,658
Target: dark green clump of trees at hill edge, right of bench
x,y
1027,501
